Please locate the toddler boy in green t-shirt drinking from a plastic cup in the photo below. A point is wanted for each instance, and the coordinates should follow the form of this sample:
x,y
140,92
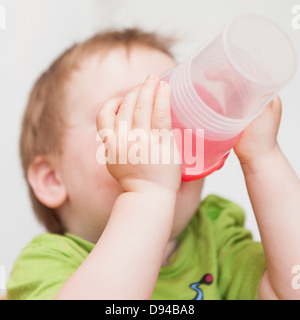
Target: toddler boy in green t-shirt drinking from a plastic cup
x,y
125,231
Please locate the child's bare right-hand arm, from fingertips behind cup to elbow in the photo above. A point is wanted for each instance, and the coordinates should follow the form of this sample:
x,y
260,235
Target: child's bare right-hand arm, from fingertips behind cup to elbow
x,y
274,191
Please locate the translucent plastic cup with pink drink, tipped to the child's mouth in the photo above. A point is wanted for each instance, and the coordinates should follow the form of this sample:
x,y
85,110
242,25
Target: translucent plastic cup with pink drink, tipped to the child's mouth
x,y
224,85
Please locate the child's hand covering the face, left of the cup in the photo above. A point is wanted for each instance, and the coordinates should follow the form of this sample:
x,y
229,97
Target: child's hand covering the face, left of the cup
x,y
143,109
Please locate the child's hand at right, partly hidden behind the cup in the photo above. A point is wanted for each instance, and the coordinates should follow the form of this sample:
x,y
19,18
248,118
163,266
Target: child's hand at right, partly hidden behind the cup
x,y
259,139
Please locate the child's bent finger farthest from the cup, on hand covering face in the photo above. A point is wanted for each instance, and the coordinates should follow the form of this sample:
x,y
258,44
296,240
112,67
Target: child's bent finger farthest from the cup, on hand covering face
x,y
106,116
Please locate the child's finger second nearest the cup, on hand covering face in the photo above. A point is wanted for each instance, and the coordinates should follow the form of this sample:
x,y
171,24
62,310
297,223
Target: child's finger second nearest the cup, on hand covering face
x,y
143,109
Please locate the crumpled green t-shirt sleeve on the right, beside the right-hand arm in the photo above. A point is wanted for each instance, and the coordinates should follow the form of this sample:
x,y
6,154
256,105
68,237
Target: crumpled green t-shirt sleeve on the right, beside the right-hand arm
x,y
241,260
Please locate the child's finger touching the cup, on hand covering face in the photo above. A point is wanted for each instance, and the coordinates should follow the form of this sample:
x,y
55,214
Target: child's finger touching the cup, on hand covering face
x,y
161,116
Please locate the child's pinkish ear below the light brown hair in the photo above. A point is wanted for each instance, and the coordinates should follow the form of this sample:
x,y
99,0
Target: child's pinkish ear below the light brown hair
x,y
46,182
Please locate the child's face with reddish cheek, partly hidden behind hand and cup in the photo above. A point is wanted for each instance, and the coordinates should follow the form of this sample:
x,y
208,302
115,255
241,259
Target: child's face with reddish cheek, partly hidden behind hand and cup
x,y
91,189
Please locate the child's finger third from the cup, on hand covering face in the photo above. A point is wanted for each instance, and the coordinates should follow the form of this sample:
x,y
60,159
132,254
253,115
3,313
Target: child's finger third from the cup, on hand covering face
x,y
127,106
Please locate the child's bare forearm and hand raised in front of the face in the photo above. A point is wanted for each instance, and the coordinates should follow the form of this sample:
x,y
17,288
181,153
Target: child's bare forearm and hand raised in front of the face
x,y
126,260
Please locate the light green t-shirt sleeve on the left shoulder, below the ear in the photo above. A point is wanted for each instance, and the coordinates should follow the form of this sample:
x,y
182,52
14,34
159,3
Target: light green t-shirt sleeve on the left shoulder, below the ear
x,y
42,268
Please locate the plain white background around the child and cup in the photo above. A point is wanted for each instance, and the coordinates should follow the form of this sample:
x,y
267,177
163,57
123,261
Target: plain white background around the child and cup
x,y
38,30
